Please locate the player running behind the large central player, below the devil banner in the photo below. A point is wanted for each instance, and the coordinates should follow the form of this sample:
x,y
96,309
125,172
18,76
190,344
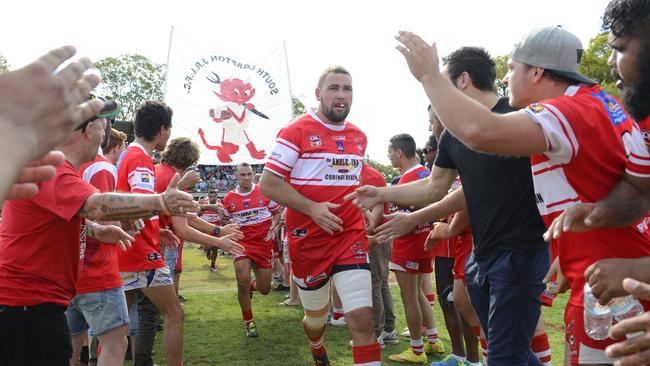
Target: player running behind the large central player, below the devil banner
x,y
256,216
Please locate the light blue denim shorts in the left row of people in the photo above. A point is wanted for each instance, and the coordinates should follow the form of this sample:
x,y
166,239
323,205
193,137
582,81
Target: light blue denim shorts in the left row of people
x,y
103,311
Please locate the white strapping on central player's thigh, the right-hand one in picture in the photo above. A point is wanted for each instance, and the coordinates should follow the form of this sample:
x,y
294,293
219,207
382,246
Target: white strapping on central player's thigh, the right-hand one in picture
x,y
354,288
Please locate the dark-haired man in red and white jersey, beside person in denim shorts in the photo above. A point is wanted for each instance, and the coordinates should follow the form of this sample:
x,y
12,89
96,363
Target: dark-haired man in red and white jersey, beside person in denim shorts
x,y
143,266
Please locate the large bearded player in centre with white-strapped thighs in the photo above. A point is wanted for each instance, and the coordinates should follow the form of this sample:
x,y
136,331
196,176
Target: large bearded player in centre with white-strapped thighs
x,y
316,161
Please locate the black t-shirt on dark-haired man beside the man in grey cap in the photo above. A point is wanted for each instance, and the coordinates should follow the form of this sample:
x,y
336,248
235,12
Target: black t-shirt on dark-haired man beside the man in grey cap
x,y
499,195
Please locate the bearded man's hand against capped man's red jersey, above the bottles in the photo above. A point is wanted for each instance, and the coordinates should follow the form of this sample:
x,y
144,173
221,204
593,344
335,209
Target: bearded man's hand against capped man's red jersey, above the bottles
x,y
578,218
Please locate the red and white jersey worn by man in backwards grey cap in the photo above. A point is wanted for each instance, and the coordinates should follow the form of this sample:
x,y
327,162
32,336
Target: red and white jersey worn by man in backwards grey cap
x,y
592,142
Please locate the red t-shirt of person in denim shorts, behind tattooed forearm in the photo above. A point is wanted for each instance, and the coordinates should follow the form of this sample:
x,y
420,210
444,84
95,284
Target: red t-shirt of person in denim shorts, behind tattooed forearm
x,y
98,266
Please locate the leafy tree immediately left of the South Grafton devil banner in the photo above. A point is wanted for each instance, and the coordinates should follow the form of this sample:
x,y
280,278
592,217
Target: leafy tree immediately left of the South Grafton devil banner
x,y
131,79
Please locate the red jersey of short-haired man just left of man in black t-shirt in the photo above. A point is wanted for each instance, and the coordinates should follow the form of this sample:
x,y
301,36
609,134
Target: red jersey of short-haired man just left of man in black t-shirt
x,y
411,246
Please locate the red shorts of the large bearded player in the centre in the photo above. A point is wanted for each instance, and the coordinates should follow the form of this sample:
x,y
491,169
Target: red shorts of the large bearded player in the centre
x,y
312,259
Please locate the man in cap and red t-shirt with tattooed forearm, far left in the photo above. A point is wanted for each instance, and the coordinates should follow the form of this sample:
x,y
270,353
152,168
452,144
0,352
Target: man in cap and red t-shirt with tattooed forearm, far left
x,y
40,242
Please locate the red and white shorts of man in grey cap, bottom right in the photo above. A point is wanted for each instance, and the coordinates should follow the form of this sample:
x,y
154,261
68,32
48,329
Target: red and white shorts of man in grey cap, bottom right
x,y
583,350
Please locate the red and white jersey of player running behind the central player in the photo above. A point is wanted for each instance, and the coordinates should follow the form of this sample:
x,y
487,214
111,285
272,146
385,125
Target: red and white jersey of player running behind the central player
x,y
252,211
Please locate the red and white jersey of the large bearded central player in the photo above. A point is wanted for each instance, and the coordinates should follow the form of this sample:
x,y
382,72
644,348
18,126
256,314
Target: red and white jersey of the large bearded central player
x,y
323,163
